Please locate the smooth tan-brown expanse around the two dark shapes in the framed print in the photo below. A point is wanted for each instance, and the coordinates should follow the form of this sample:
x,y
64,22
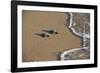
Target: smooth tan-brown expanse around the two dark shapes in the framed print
x,y
35,48
